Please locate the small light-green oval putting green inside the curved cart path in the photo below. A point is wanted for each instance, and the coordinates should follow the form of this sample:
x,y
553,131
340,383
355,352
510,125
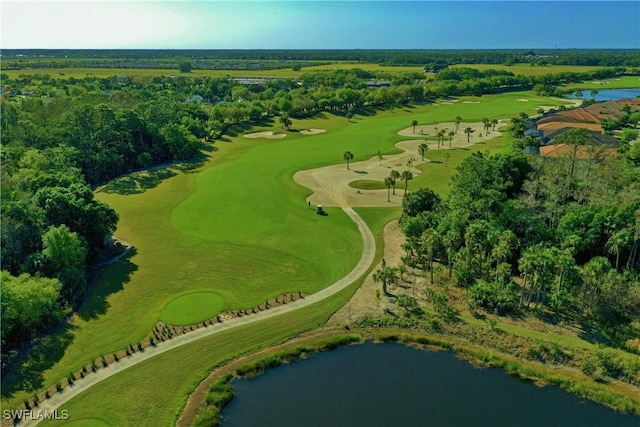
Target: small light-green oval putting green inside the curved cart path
x,y
192,308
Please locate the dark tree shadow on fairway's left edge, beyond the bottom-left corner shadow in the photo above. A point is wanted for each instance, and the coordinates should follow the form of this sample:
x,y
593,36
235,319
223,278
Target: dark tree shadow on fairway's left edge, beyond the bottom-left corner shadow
x,y
109,281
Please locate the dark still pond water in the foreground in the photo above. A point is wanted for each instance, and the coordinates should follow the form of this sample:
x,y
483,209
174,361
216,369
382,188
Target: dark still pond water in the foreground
x,y
395,385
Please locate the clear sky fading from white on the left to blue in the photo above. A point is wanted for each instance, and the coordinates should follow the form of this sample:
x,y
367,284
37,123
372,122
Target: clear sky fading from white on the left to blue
x,y
320,24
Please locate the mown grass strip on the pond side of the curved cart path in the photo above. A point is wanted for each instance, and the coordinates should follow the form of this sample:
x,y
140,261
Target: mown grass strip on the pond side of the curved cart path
x,y
141,394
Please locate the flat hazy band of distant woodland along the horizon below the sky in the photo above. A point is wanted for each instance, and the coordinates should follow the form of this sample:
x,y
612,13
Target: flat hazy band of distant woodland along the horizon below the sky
x,y
272,59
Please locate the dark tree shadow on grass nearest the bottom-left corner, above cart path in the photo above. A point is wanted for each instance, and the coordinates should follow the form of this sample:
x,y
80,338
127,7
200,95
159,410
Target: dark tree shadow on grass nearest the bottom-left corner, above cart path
x,y
26,374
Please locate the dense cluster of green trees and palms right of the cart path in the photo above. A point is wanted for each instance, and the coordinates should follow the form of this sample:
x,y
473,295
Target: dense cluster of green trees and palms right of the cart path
x,y
548,236
